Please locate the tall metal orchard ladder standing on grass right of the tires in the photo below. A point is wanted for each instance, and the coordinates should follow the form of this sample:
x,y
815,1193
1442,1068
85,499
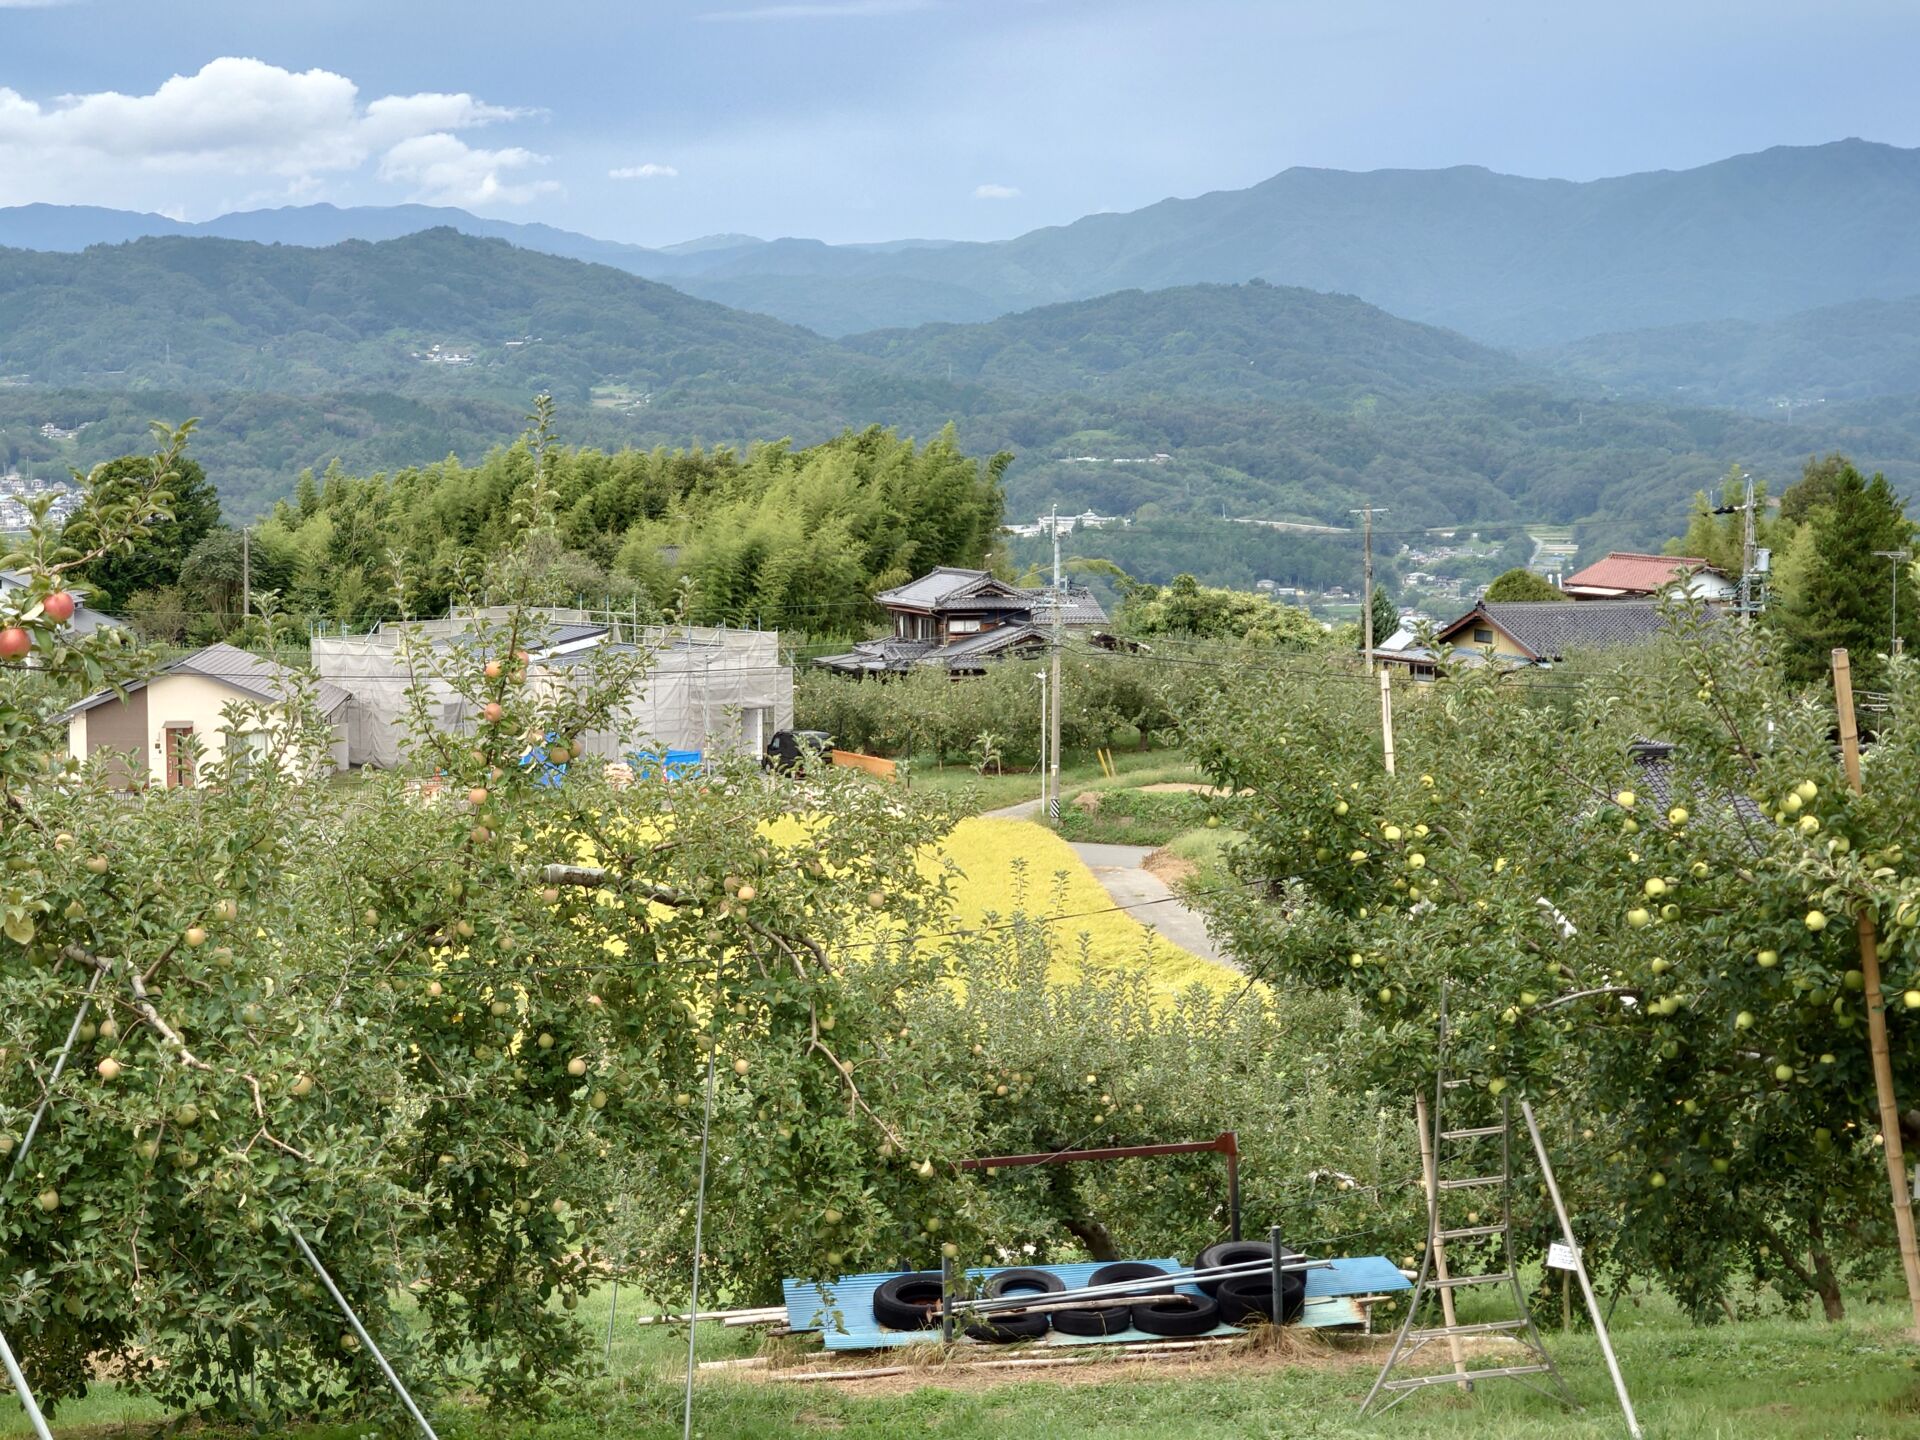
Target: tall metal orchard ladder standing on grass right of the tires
x,y
1464,1153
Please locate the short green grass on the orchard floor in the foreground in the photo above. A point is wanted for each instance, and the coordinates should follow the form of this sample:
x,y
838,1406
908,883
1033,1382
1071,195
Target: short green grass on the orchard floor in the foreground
x,y
1765,1380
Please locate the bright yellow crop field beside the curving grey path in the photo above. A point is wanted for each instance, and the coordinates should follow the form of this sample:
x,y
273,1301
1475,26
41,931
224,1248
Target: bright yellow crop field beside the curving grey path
x,y
1017,865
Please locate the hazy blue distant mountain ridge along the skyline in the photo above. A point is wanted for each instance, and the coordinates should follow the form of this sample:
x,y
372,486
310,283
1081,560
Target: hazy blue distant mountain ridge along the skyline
x,y
1506,260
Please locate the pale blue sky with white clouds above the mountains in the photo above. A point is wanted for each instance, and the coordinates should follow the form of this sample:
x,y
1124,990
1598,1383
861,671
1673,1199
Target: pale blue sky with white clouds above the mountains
x,y
658,122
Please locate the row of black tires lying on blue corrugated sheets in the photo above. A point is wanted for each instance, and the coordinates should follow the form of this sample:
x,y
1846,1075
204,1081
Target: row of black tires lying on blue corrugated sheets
x,y
909,1303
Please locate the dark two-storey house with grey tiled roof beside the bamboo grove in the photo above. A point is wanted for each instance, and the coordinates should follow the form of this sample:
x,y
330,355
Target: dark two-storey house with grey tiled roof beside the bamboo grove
x,y
963,621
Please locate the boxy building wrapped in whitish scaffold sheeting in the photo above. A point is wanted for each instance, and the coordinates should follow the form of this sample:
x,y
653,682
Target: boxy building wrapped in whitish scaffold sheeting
x,y
709,690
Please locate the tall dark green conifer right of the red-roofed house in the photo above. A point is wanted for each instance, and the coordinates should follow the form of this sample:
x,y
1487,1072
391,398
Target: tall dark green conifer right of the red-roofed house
x,y
1846,594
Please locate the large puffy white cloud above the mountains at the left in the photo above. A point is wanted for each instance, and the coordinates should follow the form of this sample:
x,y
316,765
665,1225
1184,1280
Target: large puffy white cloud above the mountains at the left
x,y
235,120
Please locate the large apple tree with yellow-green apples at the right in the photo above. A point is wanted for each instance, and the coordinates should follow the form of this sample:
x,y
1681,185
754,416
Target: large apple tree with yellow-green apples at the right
x,y
1650,940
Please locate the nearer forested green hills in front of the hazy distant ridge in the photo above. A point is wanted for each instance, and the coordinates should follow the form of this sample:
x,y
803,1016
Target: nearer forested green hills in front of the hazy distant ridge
x,y
1264,400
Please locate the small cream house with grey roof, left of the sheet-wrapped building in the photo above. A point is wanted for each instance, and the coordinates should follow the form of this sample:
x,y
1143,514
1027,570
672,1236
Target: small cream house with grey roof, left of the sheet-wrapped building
x,y
185,702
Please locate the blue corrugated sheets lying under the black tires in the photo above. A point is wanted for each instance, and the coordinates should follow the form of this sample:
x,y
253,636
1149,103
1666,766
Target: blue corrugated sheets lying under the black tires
x,y
848,1316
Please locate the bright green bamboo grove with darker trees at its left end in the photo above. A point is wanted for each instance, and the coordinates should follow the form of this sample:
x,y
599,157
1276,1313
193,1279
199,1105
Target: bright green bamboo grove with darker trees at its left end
x,y
775,537
